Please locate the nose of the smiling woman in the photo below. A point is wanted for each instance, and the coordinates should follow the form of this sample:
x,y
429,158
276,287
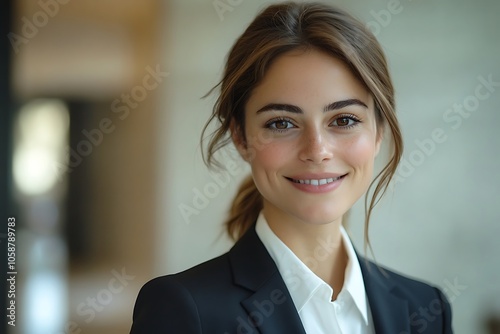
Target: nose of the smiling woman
x,y
315,146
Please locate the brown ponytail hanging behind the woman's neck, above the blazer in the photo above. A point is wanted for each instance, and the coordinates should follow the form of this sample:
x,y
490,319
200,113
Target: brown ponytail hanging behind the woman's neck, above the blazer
x,y
245,209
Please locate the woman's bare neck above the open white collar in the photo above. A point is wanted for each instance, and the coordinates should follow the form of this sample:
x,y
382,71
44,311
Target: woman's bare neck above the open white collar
x,y
319,247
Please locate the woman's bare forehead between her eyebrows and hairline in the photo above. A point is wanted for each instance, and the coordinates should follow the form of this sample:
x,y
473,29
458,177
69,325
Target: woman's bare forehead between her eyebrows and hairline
x,y
306,76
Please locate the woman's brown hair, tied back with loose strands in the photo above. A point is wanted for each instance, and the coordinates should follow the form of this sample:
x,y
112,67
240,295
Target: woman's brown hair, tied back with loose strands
x,y
276,30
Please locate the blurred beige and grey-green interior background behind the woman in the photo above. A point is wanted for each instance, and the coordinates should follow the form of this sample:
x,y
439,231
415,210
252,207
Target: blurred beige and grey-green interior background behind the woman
x,y
101,165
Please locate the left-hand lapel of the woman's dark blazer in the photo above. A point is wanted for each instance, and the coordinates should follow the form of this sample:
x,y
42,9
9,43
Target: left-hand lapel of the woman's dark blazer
x,y
270,308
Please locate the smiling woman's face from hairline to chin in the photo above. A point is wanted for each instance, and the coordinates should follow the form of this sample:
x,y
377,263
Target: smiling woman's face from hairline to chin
x,y
311,138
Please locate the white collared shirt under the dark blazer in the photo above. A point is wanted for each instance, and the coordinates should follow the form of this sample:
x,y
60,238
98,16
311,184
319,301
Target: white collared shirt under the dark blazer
x,y
349,313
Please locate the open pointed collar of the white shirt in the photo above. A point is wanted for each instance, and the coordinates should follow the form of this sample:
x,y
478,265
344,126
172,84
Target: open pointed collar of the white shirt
x,y
301,282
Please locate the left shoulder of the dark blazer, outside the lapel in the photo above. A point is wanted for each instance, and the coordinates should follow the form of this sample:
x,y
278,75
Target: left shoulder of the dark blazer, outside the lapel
x,y
203,296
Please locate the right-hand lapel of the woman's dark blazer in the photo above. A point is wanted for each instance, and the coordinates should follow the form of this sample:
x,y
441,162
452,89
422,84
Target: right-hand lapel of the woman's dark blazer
x,y
390,313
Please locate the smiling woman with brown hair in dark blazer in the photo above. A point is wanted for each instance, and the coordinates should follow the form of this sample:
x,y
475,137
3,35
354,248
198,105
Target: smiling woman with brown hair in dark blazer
x,y
306,98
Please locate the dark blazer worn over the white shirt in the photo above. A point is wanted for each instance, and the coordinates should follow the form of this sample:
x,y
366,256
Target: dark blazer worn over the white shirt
x,y
242,292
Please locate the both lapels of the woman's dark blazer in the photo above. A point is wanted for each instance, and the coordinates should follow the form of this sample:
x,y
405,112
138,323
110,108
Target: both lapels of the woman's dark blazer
x,y
271,308
